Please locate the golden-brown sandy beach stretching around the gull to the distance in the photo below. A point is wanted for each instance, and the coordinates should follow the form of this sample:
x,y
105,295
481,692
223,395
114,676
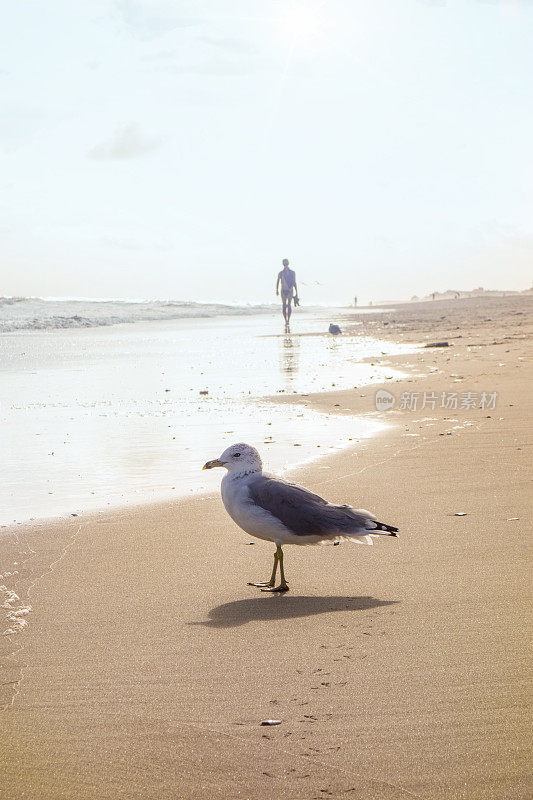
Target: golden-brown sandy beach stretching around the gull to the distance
x,y
397,671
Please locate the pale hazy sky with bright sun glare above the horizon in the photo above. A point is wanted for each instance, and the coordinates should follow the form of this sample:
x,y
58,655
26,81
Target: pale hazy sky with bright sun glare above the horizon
x,y
182,148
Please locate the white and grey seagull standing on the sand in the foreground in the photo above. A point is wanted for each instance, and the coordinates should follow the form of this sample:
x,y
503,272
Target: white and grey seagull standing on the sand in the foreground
x,y
284,513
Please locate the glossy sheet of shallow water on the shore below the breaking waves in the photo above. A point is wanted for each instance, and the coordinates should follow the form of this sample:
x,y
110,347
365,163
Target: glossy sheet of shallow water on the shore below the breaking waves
x,y
106,415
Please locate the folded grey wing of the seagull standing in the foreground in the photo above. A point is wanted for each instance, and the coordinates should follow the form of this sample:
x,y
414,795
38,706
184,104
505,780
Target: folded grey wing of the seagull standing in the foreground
x,y
308,514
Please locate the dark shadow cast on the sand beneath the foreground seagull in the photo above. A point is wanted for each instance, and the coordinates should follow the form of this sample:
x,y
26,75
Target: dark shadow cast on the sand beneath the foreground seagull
x,y
274,607
